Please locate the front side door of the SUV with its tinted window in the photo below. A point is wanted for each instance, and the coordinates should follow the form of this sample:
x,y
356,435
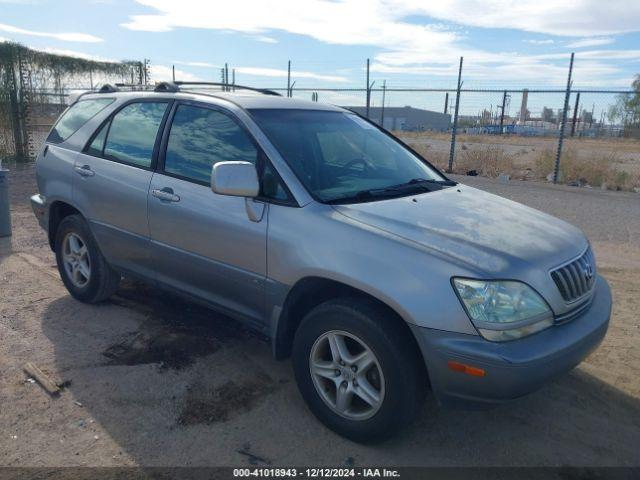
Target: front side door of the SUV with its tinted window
x,y
202,243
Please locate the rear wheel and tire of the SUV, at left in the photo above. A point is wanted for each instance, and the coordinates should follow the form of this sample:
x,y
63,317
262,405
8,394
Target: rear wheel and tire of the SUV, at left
x,y
84,271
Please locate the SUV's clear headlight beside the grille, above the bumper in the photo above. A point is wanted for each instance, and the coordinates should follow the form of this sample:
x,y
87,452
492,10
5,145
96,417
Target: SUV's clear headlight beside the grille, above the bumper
x,y
503,310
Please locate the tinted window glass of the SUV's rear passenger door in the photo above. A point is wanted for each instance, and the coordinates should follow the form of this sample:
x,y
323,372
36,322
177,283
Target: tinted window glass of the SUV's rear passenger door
x,y
133,133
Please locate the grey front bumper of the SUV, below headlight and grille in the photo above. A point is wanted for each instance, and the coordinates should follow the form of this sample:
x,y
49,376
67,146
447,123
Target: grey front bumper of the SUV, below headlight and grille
x,y
512,369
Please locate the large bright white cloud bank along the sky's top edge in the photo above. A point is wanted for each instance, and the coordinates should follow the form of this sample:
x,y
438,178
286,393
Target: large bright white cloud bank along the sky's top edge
x,y
358,21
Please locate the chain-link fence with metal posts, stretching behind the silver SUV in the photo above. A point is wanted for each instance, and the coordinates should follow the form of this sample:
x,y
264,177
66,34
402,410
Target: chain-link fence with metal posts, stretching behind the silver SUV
x,y
577,134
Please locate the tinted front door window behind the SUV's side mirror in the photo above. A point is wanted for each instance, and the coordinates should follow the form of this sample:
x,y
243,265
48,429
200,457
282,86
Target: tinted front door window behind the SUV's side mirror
x,y
201,137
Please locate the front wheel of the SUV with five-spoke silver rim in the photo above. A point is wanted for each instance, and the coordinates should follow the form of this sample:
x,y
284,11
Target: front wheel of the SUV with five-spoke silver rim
x,y
394,384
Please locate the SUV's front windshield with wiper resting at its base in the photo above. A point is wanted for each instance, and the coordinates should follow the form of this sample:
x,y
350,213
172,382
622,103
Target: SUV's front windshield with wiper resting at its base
x,y
340,157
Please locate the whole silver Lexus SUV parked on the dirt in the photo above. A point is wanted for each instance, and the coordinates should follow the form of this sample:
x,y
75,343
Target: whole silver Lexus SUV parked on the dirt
x,y
380,276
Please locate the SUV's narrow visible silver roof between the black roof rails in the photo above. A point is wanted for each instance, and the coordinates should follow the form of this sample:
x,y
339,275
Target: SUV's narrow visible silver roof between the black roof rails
x,y
243,98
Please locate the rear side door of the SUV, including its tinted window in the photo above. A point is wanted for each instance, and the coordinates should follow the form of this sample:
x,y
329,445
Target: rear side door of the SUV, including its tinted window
x,y
111,181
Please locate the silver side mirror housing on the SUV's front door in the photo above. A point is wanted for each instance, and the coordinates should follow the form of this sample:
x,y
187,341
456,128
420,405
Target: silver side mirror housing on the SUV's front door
x,y
236,179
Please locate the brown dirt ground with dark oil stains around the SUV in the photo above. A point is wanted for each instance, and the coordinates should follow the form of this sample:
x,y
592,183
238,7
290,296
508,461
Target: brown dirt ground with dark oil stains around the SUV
x,y
152,380
